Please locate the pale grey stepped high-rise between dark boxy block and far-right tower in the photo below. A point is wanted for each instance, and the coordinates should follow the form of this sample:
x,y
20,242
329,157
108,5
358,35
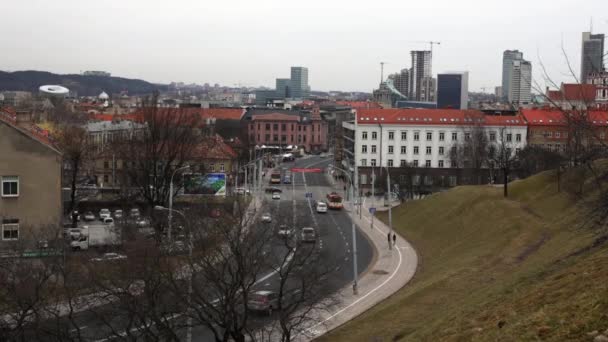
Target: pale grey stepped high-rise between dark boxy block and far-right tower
x,y
516,78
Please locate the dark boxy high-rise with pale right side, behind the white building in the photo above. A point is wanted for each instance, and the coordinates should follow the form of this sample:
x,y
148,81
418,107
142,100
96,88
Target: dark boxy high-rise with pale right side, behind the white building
x,y
453,90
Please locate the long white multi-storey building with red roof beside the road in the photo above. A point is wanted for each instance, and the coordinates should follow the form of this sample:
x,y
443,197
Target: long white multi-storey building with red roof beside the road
x,y
424,137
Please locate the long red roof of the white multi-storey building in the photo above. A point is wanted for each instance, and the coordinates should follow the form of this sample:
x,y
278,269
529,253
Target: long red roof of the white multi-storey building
x,y
434,117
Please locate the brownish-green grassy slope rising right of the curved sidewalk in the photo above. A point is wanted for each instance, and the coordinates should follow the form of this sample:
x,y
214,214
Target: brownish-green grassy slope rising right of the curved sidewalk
x,y
527,268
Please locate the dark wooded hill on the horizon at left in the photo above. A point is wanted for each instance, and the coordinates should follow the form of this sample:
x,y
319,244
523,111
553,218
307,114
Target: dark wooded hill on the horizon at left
x,y
84,85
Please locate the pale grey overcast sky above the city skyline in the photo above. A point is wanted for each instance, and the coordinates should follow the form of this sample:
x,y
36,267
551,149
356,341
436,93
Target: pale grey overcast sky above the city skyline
x,y
252,42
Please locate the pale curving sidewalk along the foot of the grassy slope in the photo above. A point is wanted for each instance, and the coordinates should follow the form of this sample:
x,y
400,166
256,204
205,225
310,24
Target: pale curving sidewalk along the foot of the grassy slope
x,y
392,270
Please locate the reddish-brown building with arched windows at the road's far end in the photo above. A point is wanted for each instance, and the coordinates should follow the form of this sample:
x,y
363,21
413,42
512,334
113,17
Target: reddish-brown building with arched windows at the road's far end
x,y
288,128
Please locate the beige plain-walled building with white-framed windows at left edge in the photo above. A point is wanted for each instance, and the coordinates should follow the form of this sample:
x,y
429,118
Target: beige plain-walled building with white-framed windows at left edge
x,y
30,177
